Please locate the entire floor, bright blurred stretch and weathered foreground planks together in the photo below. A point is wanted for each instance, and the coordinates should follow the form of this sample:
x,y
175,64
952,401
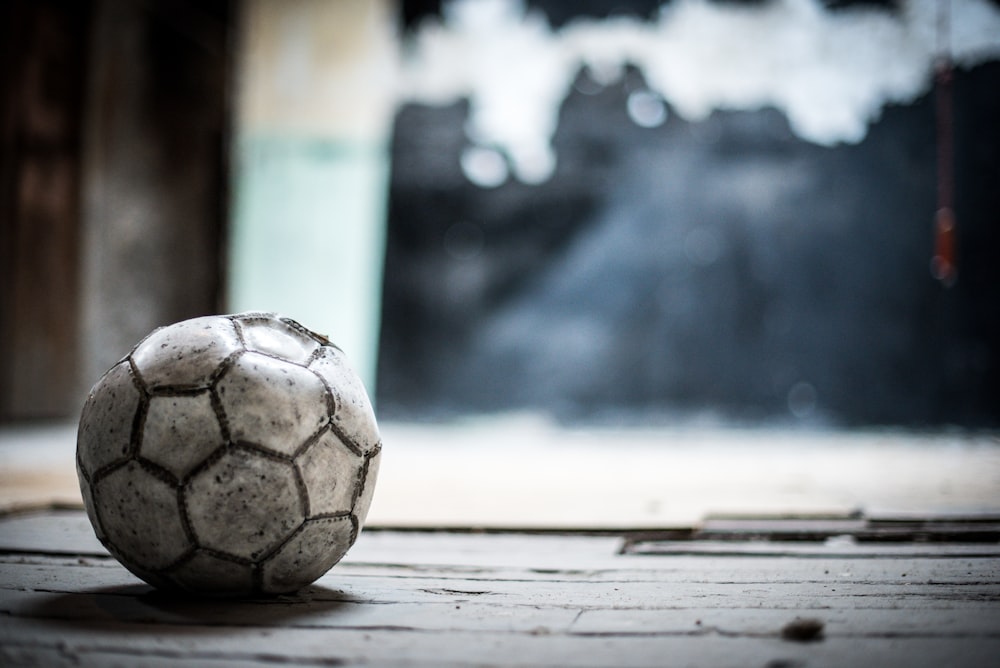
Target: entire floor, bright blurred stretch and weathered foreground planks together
x,y
859,582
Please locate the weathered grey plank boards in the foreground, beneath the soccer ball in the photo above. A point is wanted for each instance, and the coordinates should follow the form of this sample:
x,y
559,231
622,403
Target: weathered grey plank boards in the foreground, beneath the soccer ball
x,y
499,600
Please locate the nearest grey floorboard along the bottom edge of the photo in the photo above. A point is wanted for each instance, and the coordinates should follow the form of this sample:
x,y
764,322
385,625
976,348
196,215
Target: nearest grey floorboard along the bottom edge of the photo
x,y
191,645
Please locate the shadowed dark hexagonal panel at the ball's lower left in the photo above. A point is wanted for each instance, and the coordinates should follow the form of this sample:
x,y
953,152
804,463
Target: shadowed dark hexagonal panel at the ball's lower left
x,y
140,517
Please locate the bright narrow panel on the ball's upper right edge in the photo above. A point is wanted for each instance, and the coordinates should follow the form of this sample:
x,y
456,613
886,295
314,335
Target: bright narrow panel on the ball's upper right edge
x,y
354,416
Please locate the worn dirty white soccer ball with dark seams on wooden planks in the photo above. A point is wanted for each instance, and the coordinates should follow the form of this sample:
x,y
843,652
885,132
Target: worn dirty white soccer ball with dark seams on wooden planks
x,y
229,455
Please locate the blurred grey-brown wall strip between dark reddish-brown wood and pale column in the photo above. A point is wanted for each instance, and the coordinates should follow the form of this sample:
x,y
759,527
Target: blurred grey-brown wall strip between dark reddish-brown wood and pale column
x,y
155,182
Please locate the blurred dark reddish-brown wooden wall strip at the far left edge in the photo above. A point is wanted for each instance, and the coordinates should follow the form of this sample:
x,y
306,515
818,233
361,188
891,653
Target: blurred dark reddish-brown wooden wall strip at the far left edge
x,y
43,55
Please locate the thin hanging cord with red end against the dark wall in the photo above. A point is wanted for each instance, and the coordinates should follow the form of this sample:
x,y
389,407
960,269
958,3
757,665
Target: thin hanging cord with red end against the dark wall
x,y
944,265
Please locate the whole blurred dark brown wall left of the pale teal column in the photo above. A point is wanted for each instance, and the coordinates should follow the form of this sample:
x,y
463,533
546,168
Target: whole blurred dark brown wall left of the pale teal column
x,y
115,124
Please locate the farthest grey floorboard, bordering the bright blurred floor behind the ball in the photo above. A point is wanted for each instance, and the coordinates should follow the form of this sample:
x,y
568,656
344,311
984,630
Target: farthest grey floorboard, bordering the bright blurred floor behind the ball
x,y
541,556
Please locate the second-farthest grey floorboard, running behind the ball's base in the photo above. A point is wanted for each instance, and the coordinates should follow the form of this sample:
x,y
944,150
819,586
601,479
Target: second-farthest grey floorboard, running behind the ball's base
x,y
576,594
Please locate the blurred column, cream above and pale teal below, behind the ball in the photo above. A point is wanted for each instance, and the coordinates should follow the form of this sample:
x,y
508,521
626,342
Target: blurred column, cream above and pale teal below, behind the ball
x,y
310,166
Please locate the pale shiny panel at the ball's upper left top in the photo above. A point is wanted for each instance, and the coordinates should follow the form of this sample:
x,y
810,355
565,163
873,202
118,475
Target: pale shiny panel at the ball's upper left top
x,y
185,354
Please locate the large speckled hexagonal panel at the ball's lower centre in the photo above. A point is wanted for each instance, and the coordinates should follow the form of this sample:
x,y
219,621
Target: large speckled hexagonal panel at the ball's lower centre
x,y
244,504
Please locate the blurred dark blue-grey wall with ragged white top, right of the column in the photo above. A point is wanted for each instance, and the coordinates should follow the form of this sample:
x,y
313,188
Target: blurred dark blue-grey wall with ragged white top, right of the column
x,y
676,267
